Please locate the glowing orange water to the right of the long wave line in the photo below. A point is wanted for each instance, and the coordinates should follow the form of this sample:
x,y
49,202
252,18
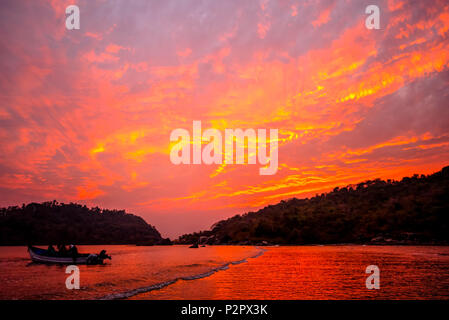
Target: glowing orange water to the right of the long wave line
x,y
324,272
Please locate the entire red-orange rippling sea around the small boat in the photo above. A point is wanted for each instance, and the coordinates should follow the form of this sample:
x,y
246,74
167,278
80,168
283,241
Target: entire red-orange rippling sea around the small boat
x,y
235,272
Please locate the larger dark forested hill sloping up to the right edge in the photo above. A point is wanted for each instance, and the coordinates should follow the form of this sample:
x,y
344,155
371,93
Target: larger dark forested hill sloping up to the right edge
x,y
413,210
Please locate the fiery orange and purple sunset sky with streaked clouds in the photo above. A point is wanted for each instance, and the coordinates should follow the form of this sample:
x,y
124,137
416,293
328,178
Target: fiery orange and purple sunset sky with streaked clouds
x,y
86,115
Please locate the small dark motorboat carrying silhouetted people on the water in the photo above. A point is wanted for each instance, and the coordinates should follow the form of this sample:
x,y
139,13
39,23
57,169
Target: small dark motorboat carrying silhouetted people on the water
x,y
43,256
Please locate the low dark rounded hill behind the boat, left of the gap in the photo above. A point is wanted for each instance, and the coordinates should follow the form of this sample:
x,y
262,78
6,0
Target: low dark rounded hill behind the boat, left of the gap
x,y
53,222
